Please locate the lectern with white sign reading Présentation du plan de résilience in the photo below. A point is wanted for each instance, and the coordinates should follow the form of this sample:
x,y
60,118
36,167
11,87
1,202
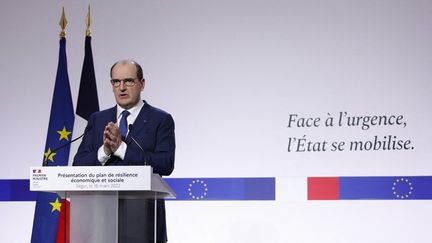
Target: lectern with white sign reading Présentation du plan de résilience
x,y
94,193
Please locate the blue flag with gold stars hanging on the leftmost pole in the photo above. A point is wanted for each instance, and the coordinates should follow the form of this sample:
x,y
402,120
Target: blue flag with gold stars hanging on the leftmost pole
x,y
48,205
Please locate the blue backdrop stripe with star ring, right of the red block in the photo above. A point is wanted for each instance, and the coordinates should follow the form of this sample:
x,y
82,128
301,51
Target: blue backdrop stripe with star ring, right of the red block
x,y
385,188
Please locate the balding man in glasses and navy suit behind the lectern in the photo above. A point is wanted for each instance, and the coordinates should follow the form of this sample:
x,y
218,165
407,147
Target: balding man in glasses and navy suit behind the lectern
x,y
131,133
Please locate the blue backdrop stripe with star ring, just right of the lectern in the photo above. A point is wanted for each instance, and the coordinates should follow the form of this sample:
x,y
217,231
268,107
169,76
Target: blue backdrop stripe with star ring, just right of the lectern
x,y
223,188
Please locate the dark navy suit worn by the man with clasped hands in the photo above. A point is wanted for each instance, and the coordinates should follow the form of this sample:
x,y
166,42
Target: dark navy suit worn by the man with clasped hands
x,y
153,129
